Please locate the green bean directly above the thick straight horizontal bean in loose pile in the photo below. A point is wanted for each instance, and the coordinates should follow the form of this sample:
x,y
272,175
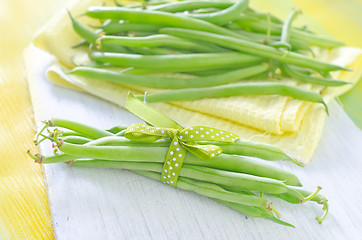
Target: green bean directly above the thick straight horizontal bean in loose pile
x,y
160,40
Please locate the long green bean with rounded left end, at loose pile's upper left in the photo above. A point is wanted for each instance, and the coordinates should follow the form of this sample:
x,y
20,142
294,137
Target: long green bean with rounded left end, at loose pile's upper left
x,y
156,17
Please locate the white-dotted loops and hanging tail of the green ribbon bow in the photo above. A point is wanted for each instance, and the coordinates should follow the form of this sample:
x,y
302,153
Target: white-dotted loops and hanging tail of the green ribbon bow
x,y
182,140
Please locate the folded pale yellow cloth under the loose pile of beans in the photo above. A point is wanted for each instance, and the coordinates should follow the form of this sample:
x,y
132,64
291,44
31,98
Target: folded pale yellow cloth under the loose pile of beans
x,y
290,124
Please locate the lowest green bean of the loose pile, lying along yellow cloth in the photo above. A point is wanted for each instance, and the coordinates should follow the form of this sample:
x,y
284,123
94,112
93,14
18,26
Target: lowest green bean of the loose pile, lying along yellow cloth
x,y
238,89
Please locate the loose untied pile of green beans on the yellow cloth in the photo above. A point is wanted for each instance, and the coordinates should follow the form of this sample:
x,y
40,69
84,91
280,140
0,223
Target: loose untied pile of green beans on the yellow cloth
x,y
216,43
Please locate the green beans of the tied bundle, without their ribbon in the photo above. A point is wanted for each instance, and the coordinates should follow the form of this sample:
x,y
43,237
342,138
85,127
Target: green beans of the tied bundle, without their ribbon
x,y
232,178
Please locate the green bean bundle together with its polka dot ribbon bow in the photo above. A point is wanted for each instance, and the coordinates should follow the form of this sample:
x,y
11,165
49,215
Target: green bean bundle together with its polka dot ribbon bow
x,y
190,158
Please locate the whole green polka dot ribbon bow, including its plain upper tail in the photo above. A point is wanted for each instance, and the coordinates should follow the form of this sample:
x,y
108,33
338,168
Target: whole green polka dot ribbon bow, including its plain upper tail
x,y
182,139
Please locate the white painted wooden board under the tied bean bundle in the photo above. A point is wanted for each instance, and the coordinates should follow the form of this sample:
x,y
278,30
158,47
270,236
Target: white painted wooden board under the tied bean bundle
x,y
117,204
